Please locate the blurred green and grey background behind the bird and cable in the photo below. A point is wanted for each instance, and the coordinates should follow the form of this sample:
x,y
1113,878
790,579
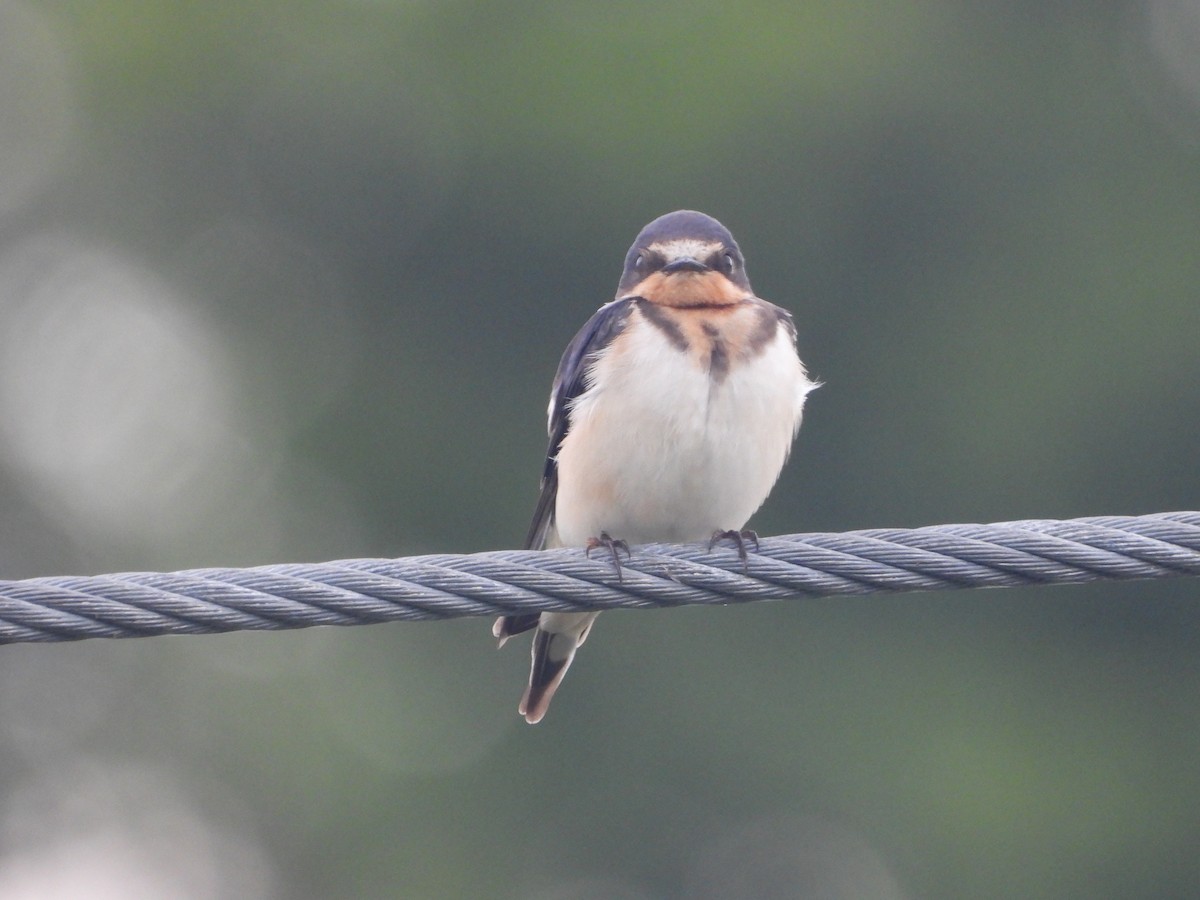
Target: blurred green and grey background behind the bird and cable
x,y
290,281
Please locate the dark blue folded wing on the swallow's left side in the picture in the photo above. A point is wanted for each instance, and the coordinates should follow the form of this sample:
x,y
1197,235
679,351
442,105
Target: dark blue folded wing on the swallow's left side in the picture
x,y
569,383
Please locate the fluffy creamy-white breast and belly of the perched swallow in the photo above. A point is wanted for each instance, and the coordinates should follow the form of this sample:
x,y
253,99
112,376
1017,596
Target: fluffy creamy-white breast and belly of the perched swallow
x,y
661,452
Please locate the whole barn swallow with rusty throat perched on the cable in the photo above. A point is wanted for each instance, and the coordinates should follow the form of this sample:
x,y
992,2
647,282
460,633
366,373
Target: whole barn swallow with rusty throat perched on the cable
x,y
671,417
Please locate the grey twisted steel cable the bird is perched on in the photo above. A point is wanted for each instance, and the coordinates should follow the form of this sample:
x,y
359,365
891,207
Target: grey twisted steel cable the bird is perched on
x,y
358,592
